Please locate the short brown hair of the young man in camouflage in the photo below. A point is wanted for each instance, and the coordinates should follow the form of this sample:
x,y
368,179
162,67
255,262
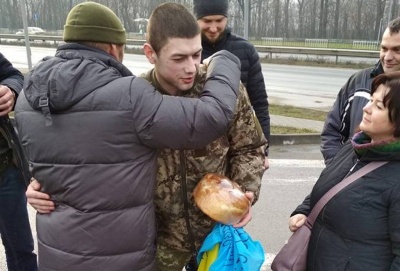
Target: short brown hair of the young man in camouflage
x,y
170,20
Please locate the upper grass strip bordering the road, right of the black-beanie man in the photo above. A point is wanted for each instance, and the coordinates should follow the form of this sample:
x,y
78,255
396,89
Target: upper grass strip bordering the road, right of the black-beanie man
x,y
297,112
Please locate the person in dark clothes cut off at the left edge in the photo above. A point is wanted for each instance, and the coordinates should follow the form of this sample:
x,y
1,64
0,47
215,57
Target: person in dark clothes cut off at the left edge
x,y
15,230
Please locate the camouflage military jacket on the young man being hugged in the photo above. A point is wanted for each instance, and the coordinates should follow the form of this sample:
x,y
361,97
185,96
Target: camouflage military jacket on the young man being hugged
x,y
238,155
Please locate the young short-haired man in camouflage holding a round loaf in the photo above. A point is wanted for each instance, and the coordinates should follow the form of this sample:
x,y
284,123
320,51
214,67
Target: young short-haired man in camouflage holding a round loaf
x,y
175,51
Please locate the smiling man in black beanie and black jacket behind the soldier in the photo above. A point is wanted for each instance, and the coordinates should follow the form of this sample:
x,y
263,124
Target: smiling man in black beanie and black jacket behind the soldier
x,y
212,18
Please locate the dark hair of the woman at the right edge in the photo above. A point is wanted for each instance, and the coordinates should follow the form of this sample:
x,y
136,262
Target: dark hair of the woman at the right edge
x,y
392,98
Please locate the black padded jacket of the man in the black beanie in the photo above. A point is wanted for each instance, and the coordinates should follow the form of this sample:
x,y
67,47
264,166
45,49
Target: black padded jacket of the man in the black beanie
x,y
251,72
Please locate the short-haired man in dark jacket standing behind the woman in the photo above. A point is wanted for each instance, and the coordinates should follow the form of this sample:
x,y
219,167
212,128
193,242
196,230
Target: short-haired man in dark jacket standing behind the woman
x,y
346,114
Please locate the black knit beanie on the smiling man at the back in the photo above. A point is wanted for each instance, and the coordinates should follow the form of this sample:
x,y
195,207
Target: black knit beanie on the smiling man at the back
x,y
203,8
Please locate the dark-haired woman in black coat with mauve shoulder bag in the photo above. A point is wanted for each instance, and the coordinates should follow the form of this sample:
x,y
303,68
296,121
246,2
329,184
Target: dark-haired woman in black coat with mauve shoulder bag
x,y
359,228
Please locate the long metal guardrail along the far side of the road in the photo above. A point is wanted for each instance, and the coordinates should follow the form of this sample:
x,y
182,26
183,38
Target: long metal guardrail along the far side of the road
x,y
261,49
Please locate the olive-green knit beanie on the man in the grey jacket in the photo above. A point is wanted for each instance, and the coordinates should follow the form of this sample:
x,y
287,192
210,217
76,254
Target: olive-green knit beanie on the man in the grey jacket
x,y
93,22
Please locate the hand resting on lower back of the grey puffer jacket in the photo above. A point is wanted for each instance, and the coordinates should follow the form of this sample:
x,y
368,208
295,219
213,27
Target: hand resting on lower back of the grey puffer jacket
x,y
39,201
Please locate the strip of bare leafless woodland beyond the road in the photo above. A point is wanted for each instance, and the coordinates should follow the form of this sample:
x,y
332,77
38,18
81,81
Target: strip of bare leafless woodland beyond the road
x,y
338,19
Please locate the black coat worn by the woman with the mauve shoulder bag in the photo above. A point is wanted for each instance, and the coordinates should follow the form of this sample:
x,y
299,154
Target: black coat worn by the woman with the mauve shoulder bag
x,y
359,228
